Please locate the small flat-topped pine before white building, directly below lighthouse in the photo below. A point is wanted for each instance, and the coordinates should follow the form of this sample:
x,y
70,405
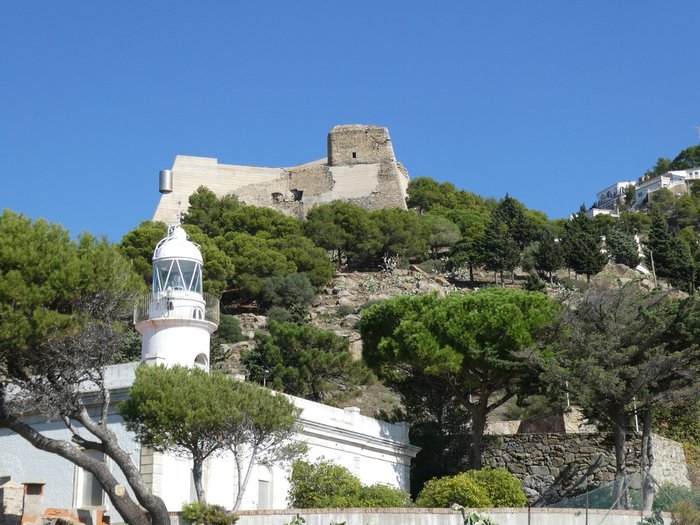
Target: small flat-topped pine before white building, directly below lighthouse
x,y
197,414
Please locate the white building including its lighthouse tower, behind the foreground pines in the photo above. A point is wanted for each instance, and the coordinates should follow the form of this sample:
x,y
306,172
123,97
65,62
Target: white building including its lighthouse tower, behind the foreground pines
x,y
175,321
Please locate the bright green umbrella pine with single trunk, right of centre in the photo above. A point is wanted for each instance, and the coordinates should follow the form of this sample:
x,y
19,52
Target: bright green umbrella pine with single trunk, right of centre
x,y
471,346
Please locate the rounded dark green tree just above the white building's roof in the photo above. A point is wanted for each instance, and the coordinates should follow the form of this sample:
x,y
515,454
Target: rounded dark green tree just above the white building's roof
x,y
305,361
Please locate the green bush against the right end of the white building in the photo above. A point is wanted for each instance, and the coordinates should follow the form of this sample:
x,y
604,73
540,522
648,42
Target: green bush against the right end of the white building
x,y
325,485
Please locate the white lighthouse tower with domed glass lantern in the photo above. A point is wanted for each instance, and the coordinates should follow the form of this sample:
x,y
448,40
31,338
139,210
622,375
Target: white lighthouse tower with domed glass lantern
x,y
176,319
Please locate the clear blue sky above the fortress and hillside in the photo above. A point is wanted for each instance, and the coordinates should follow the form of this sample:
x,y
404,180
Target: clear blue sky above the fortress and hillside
x,y
549,101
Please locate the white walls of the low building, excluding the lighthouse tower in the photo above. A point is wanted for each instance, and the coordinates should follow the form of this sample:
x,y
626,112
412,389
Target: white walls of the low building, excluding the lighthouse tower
x,y
373,450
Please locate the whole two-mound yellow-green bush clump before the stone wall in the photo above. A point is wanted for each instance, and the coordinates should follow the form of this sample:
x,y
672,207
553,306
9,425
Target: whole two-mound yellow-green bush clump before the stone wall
x,y
475,488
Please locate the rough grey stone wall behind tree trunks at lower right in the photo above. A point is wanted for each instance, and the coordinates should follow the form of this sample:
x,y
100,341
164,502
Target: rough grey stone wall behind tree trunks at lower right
x,y
555,466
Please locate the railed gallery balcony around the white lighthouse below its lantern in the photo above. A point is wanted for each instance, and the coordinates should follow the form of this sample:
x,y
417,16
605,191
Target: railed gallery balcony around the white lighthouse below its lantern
x,y
175,304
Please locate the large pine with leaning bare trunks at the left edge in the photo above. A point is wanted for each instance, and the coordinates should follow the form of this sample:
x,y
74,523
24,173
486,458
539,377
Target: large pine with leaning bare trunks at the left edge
x,y
62,304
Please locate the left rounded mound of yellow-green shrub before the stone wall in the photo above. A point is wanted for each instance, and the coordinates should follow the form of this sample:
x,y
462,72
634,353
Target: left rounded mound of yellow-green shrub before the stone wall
x,y
461,489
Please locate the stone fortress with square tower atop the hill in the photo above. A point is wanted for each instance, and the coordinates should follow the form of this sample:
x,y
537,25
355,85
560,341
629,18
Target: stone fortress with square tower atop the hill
x,y
361,168
